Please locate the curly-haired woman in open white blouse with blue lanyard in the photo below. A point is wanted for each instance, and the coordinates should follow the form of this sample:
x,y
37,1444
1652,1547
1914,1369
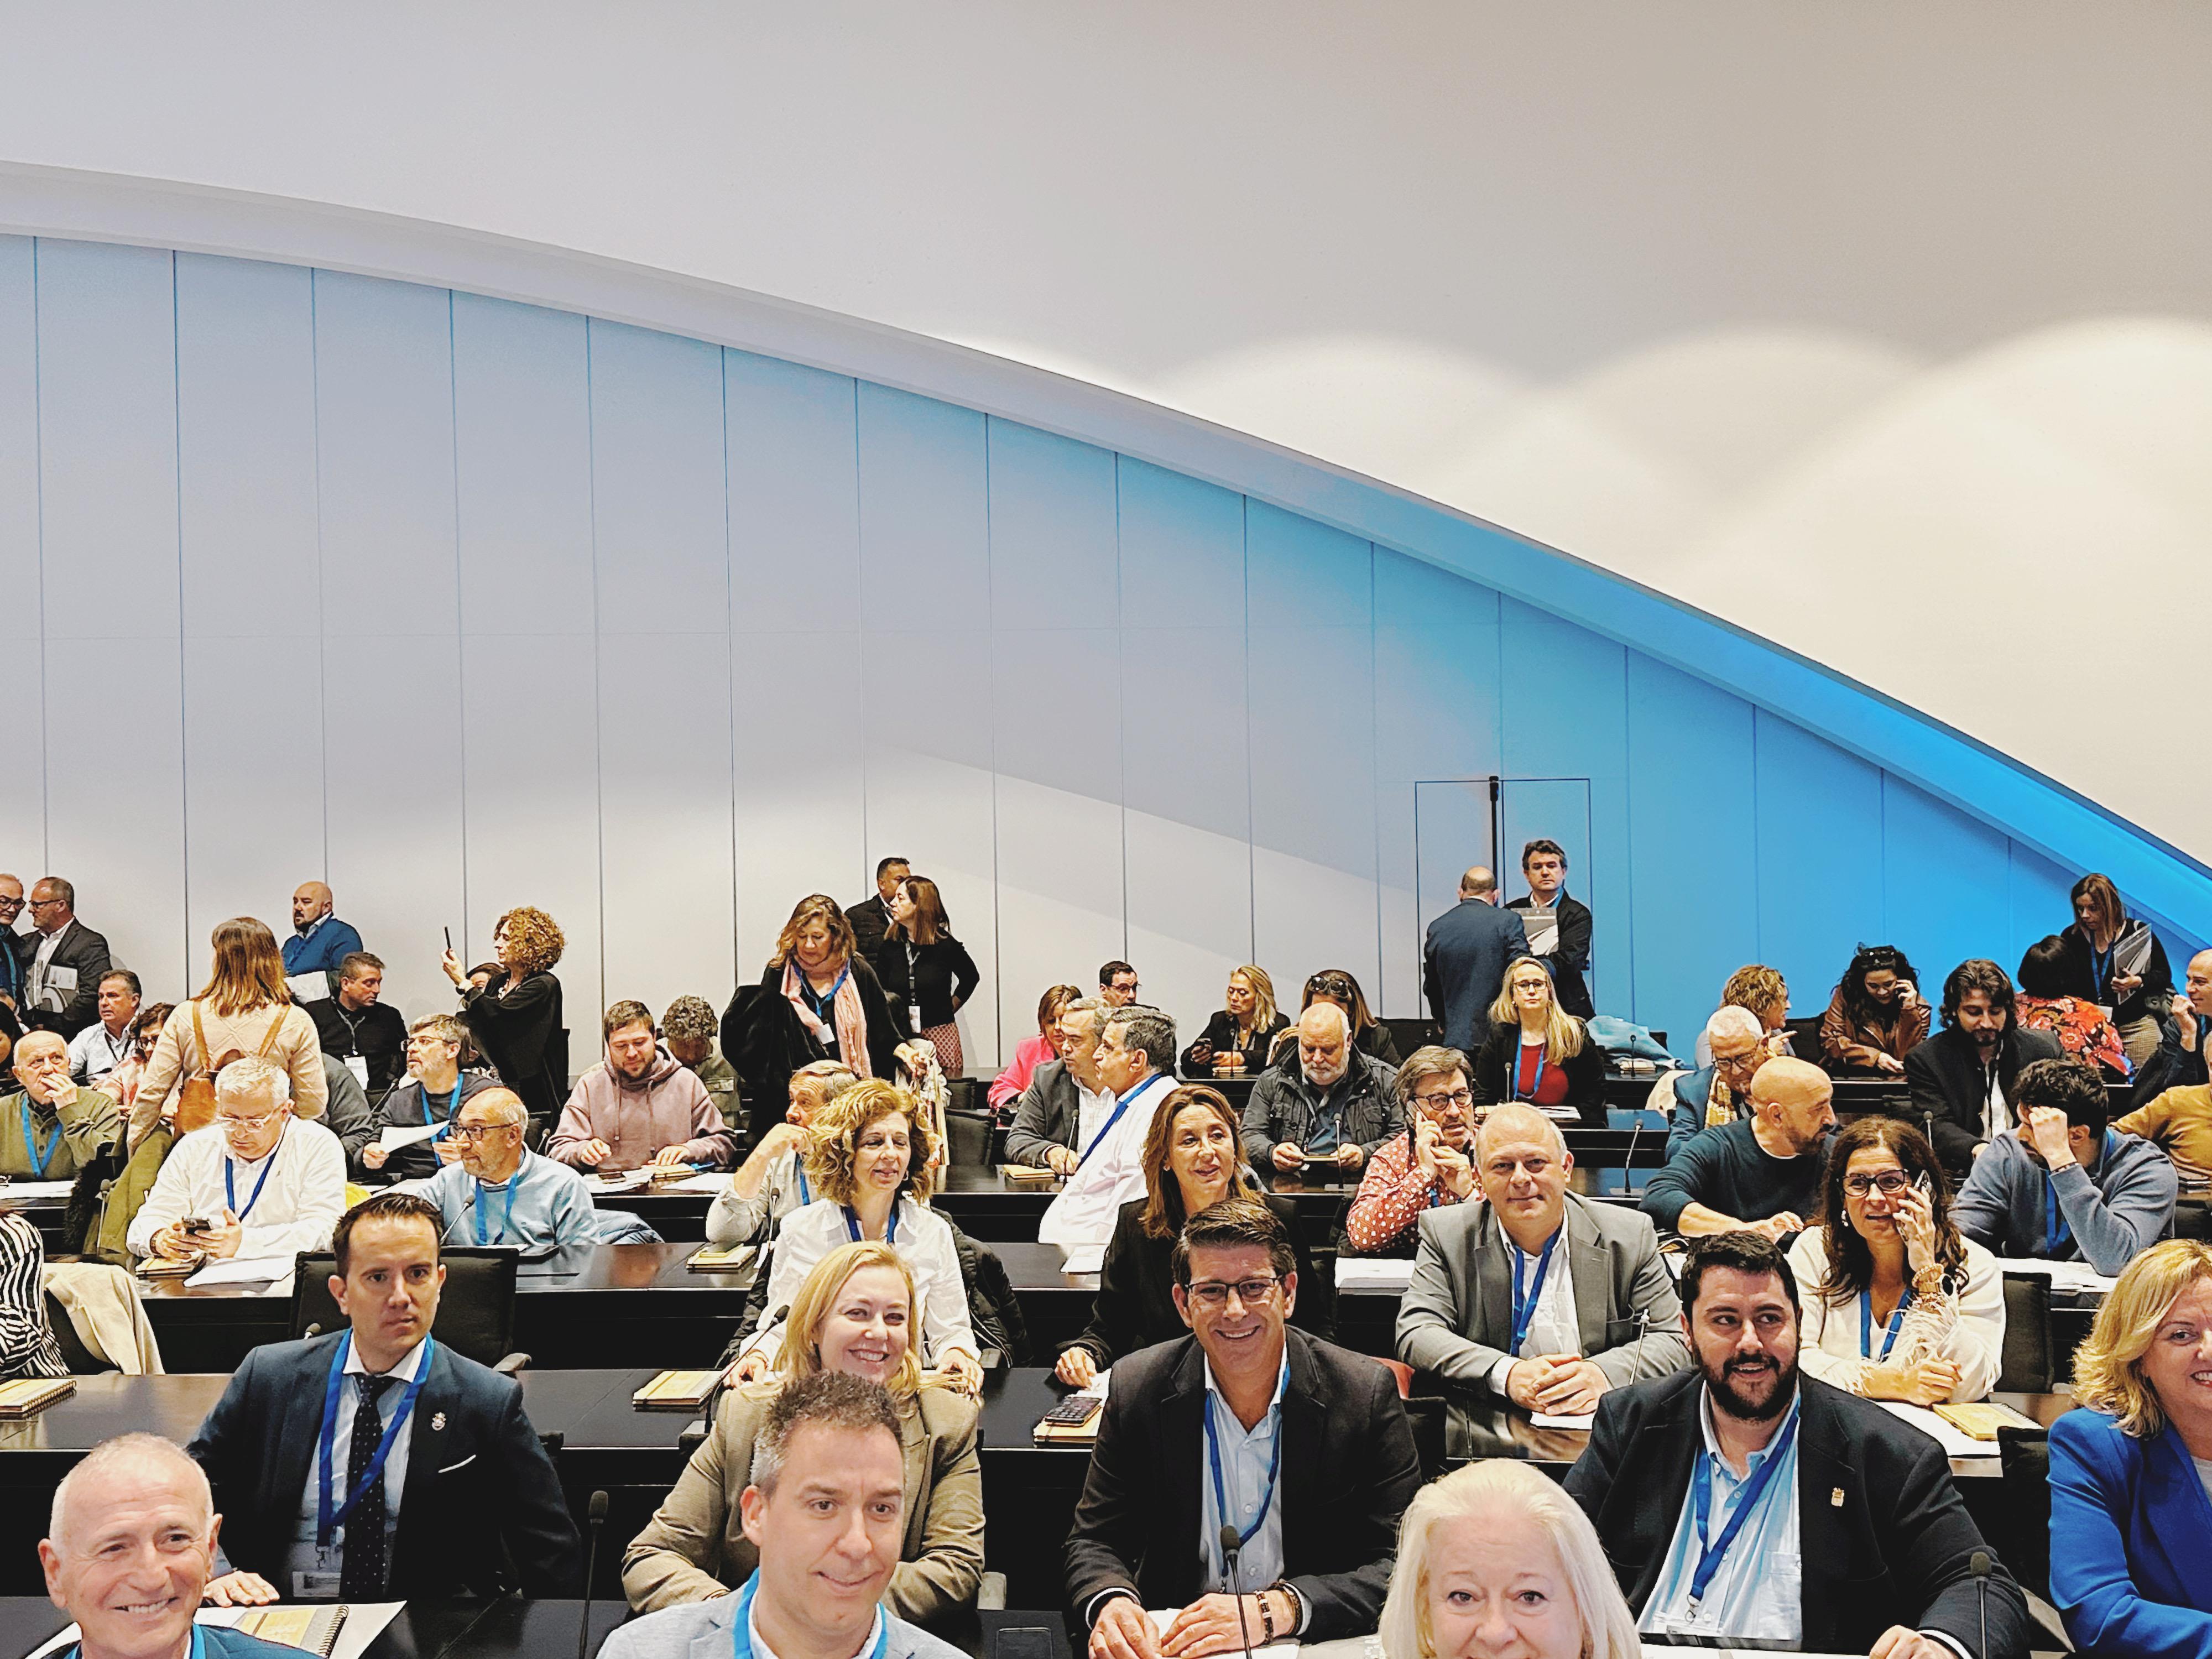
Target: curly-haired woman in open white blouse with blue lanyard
x,y
864,1156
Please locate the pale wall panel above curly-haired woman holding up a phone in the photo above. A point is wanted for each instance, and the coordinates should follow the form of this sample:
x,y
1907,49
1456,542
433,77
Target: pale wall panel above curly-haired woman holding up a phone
x,y
530,685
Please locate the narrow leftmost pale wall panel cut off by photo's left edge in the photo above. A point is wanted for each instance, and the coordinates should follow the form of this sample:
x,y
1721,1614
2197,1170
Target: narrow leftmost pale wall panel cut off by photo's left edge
x,y
23,802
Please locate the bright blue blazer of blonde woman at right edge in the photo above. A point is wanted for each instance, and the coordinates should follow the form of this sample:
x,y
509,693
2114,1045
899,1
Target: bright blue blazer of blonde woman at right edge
x,y
2131,1541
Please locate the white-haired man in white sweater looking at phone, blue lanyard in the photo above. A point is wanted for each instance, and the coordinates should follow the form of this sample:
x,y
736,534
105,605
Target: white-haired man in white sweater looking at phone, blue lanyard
x,y
255,1185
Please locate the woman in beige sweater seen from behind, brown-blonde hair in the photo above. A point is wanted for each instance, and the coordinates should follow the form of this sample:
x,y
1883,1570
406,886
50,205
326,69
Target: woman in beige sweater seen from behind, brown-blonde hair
x,y
242,1010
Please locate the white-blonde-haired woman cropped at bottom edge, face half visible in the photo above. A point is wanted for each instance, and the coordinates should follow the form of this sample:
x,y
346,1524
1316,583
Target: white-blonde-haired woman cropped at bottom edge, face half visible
x,y
1499,1561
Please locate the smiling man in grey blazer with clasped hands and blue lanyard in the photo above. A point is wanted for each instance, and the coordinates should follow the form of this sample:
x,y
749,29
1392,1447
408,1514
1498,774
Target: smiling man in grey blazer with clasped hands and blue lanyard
x,y
1536,1297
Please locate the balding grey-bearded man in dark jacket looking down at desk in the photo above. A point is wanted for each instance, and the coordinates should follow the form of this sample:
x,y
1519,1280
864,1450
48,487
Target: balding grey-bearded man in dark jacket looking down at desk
x,y
1326,1107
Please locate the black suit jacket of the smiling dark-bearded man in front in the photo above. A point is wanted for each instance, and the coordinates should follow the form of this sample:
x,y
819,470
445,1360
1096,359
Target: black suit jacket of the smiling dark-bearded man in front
x,y
1884,1532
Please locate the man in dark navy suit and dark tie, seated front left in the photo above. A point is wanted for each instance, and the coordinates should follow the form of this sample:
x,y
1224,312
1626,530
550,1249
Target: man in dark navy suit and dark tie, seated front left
x,y
432,1446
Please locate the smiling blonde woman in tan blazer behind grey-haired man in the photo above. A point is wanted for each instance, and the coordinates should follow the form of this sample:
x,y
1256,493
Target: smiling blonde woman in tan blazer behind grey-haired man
x,y
855,1315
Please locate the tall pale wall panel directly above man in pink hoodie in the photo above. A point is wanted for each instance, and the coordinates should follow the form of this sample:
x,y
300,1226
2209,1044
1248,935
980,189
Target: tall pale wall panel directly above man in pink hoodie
x,y
660,512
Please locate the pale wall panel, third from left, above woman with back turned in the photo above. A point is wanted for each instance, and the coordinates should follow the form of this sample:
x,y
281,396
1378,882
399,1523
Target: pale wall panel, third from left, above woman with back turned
x,y
247,521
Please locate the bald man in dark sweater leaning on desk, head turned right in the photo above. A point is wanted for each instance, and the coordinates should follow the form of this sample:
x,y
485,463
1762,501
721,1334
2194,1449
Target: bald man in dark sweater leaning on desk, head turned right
x,y
1760,1173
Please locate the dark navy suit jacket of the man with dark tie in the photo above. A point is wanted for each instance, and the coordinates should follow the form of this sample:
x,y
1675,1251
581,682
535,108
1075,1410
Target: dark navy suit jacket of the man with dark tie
x,y
481,1512
